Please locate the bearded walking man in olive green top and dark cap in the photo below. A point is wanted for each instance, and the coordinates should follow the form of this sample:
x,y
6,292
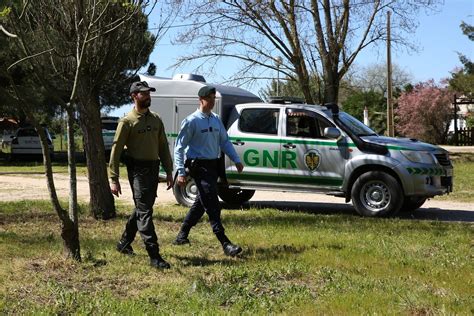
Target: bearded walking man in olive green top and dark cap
x,y
143,133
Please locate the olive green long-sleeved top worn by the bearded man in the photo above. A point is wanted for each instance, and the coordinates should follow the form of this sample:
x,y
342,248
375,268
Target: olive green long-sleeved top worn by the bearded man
x,y
145,139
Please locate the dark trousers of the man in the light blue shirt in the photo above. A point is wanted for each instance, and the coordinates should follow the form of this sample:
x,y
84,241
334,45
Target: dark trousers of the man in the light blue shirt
x,y
205,174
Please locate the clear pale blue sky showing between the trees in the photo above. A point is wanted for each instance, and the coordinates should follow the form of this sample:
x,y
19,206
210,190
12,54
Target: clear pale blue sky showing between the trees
x,y
438,38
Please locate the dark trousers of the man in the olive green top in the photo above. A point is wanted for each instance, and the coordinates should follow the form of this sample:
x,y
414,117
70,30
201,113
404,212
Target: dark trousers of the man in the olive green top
x,y
143,178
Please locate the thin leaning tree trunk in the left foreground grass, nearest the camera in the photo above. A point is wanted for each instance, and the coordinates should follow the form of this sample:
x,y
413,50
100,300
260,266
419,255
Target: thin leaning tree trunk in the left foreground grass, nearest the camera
x,y
69,225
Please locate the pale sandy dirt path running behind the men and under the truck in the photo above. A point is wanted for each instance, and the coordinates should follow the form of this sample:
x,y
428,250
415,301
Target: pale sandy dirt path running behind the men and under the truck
x,y
15,187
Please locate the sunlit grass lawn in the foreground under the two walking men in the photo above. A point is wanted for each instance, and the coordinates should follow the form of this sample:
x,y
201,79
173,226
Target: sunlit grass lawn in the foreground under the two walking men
x,y
293,263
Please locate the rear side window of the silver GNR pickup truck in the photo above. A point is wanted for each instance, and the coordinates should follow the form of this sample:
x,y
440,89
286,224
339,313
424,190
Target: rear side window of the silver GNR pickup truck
x,y
261,121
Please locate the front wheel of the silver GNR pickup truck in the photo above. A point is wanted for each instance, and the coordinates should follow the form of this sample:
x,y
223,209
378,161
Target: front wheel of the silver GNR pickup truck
x,y
376,193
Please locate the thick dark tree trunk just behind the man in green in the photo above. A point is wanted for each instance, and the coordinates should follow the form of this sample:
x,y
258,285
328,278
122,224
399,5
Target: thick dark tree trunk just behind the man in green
x,y
102,204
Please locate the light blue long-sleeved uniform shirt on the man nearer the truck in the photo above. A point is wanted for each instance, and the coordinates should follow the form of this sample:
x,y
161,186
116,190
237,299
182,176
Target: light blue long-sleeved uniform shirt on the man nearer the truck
x,y
202,136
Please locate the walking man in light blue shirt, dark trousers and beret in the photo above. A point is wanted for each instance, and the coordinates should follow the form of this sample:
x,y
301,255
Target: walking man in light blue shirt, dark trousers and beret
x,y
202,137
